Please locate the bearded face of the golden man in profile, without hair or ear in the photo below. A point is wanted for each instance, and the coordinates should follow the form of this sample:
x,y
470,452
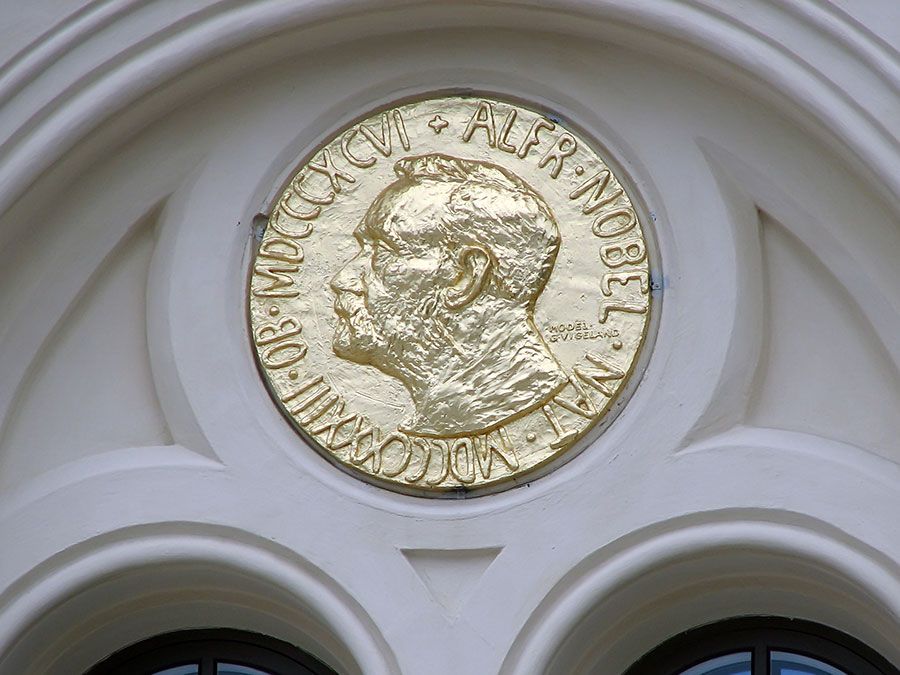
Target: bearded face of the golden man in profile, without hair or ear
x,y
387,294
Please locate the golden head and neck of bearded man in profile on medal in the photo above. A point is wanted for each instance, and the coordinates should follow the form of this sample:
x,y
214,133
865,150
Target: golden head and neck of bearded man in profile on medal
x,y
453,256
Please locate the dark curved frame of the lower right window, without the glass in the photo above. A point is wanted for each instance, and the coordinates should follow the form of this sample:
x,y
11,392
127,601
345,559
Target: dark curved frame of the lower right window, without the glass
x,y
760,636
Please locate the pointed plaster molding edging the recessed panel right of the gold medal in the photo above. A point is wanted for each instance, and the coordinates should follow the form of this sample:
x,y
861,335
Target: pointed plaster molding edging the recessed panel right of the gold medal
x,y
746,190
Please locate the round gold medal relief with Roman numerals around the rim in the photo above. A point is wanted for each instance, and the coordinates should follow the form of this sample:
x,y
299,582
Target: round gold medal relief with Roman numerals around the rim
x,y
450,295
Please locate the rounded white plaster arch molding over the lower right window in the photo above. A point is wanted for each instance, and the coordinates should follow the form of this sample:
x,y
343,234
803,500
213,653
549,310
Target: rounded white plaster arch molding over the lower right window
x,y
626,598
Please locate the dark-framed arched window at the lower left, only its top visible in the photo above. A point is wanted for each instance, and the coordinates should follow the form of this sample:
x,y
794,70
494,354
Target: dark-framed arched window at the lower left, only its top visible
x,y
211,652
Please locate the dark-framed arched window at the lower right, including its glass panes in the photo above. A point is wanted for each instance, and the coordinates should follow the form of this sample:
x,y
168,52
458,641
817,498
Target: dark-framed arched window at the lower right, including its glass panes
x,y
763,646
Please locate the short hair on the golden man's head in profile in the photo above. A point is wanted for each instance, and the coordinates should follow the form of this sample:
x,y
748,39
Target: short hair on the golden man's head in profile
x,y
477,203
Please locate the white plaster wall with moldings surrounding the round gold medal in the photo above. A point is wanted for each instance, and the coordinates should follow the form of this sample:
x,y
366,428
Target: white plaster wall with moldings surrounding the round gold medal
x,y
148,484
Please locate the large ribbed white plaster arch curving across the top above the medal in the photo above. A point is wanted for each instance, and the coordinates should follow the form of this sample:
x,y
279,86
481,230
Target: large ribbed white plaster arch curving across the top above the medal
x,y
839,86
